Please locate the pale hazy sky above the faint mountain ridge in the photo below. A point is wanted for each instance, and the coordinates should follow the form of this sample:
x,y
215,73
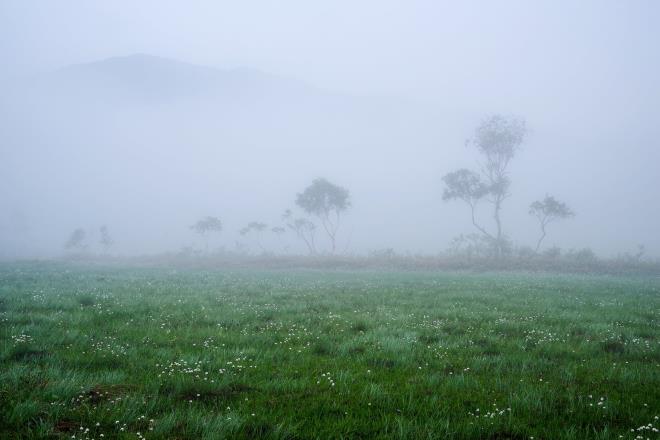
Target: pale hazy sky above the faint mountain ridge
x,y
501,51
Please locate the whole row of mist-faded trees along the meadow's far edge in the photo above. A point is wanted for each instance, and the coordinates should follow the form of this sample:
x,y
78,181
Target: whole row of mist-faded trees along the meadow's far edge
x,y
322,204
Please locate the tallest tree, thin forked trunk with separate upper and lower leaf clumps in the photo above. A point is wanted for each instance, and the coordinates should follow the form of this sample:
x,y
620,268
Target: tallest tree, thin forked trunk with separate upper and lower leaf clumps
x,y
497,139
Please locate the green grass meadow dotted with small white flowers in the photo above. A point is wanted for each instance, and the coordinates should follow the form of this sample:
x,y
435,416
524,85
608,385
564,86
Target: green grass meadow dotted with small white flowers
x,y
109,352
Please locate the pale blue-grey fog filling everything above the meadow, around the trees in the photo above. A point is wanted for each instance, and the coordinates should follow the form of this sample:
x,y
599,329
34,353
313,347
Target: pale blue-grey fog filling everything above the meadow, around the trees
x,y
147,116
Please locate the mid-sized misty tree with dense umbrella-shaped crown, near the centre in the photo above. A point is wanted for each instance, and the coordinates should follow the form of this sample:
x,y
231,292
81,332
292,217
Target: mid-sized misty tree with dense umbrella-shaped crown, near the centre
x,y
327,202
